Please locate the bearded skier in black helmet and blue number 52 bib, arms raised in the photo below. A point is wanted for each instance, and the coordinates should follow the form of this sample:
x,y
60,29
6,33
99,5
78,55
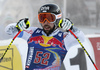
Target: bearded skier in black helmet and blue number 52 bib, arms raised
x,y
47,46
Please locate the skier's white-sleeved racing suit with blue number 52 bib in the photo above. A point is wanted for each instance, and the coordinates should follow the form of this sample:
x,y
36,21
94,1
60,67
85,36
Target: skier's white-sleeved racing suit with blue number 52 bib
x,y
48,52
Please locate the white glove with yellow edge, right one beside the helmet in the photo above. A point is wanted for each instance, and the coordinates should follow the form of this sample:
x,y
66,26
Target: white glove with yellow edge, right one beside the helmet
x,y
65,24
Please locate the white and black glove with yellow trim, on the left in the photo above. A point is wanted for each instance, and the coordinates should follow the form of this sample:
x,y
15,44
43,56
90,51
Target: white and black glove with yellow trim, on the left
x,y
23,24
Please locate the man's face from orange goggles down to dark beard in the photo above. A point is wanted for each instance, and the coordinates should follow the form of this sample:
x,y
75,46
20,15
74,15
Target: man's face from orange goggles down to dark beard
x,y
47,21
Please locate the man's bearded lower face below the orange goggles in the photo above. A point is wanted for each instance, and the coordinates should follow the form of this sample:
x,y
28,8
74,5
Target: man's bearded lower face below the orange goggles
x,y
47,27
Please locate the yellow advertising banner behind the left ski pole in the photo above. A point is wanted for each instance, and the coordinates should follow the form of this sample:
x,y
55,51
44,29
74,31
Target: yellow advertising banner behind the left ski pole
x,y
12,59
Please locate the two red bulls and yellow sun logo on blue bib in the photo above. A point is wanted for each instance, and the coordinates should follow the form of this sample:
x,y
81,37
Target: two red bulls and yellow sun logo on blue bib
x,y
46,41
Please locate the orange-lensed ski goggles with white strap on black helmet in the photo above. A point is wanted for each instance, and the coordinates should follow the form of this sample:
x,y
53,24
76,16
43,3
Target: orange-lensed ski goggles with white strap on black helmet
x,y
50,17
